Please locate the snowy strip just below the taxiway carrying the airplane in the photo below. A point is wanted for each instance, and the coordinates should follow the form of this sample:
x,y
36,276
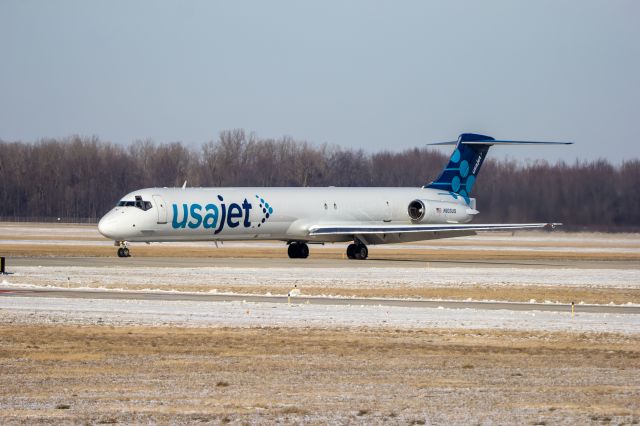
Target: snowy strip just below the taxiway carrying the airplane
x,y
289,277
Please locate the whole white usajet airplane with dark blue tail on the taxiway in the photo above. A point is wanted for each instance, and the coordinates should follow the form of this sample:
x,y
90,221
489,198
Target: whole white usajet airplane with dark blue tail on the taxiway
x,y
303,216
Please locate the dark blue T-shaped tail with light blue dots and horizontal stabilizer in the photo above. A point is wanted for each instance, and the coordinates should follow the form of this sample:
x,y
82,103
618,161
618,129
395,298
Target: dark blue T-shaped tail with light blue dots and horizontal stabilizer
x,y
461,172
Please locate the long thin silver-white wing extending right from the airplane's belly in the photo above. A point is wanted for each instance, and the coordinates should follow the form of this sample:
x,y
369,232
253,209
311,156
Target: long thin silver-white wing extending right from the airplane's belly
x,y
452,228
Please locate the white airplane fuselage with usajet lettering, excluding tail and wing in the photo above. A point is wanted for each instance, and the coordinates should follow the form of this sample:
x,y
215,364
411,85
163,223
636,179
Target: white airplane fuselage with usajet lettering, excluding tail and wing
x,y
212,214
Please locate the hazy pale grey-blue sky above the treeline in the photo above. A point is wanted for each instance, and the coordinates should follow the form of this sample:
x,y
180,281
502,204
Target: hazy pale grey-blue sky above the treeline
x,y
366,74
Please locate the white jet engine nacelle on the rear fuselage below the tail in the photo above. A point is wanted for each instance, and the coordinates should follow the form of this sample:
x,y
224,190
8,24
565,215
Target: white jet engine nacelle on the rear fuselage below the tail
x,y
432,211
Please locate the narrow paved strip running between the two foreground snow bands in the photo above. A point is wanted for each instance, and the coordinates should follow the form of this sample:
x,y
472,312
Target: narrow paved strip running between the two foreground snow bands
x,y
334,301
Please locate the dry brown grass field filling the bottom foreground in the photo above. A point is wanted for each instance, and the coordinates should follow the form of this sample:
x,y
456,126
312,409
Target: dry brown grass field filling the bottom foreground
x,y
106,375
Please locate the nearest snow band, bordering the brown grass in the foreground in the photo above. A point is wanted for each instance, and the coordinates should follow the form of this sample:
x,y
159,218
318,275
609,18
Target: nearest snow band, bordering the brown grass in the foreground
x,y
244,314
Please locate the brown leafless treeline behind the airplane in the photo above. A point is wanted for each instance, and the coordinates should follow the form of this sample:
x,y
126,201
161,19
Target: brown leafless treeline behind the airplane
x,y
83,177
